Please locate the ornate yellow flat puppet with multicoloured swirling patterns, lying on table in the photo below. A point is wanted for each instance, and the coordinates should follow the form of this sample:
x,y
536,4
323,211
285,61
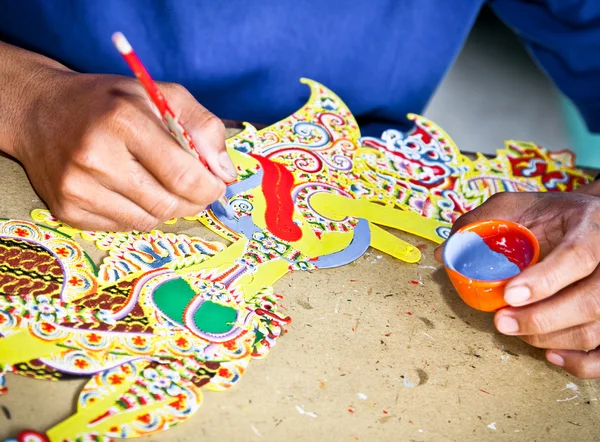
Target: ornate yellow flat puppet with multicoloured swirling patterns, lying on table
x,y
167,315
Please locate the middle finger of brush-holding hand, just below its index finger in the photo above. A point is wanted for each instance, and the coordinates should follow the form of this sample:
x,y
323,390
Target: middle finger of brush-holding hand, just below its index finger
x,y
135,183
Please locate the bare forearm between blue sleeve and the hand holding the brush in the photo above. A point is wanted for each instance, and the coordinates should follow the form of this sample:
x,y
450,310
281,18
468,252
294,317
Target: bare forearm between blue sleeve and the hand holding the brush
x,y
23,76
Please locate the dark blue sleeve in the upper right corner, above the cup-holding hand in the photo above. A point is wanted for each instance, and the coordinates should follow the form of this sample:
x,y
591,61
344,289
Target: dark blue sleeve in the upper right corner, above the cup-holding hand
x,y
564,37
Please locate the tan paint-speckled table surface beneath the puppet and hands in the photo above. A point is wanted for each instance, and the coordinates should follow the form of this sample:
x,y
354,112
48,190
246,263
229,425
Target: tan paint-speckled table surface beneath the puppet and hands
x,y
369,356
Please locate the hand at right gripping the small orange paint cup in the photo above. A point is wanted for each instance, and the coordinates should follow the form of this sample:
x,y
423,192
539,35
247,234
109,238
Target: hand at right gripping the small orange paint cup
x,y
555,304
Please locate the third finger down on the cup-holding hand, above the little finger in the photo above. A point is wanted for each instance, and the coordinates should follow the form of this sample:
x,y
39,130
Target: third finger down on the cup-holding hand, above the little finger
x,y
582,337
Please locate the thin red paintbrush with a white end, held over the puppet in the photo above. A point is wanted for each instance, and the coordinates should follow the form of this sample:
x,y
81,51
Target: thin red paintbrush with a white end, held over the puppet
x,y
157,97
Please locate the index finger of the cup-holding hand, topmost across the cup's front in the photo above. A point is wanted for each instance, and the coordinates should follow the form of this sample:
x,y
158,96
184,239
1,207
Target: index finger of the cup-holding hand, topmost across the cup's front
x,y
575,258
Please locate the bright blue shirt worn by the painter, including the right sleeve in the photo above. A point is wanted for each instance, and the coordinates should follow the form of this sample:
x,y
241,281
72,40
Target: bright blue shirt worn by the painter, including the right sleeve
x,y
242,60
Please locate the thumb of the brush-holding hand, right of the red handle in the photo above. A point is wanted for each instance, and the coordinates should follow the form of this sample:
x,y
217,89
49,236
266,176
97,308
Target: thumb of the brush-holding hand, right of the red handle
x,y
207,131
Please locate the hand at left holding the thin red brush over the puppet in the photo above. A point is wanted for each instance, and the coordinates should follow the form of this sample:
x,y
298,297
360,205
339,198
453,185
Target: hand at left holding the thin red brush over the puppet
x,y
101,158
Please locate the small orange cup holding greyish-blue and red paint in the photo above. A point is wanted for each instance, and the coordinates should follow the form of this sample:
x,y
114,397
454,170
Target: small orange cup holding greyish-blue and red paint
x,y
482,257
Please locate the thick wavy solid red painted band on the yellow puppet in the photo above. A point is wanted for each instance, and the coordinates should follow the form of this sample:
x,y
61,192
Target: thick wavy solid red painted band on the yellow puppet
x,y
277,187
